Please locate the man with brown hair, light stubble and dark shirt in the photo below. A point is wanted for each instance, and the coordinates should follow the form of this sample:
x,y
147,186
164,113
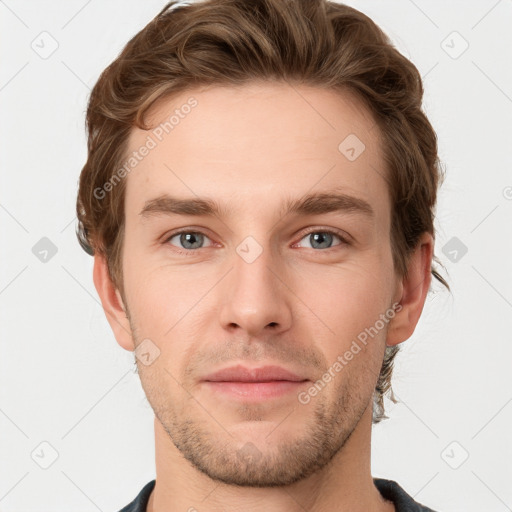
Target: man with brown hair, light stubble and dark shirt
x,y
258,197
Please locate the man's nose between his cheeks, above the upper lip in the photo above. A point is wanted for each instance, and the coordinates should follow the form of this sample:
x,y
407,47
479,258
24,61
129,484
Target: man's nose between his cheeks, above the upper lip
x,y
256,295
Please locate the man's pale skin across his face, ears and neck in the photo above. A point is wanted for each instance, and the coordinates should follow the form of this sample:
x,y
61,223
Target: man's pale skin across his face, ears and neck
x,y
299,304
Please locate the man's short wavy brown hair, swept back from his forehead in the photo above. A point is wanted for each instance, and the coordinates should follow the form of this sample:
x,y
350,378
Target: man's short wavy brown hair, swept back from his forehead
x,y
318,43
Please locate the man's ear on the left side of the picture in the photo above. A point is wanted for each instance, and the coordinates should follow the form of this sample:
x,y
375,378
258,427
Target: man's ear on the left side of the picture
x,y
112,303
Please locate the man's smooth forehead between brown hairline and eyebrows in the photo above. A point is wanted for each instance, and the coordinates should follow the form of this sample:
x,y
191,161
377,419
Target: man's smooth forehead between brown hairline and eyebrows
x,y
257,143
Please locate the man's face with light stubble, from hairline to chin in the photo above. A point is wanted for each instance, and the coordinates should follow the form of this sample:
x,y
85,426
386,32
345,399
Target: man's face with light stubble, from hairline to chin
x,y
254,285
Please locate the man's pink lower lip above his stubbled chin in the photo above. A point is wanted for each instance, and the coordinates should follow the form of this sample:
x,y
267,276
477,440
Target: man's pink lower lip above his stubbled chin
x,y
256,390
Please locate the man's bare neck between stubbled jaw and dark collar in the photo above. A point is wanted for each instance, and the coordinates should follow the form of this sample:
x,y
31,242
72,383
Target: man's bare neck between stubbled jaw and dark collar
x,y
345,484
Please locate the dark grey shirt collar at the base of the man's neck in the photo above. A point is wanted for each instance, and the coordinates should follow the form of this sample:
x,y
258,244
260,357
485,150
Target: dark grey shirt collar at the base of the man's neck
x,y
389,489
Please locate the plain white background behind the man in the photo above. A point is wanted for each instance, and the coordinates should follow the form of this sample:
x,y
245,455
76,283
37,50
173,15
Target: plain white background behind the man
x,y
68,391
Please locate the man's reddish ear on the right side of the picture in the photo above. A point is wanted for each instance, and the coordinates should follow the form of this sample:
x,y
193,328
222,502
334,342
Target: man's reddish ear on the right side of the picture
x,y
412,292
